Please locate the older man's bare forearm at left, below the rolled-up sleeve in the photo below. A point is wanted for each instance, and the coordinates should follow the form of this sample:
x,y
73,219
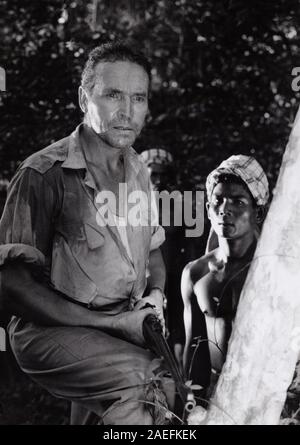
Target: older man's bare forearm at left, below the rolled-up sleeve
x,y
33,301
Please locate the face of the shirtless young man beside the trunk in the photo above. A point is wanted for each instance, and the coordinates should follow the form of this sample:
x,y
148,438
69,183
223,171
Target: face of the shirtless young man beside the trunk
x,y
231,211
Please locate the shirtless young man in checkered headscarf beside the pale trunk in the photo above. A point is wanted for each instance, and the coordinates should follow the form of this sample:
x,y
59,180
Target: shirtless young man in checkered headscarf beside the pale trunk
x,y
237,193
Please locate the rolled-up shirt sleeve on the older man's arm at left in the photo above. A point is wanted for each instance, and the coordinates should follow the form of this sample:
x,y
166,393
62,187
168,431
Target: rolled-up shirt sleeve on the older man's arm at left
x,y
26,226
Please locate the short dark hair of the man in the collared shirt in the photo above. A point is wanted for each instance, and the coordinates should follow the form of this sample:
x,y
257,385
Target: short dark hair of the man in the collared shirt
x,y
111,52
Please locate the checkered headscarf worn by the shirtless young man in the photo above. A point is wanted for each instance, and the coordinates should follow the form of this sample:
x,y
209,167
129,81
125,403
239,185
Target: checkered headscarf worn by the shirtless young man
x,y
248,170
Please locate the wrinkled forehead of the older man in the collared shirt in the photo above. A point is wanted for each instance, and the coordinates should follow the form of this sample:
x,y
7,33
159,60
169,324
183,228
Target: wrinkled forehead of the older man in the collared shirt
x,y
121,75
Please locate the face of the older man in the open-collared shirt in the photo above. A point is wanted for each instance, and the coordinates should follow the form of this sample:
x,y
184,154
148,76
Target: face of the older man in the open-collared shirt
x,y
118,104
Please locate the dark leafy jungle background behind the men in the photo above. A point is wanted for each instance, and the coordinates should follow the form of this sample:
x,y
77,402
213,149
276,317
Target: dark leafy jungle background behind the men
x,y
222,85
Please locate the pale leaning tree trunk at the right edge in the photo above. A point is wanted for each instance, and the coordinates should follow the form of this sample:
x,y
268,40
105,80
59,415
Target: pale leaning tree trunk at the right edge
x,y
265,341
